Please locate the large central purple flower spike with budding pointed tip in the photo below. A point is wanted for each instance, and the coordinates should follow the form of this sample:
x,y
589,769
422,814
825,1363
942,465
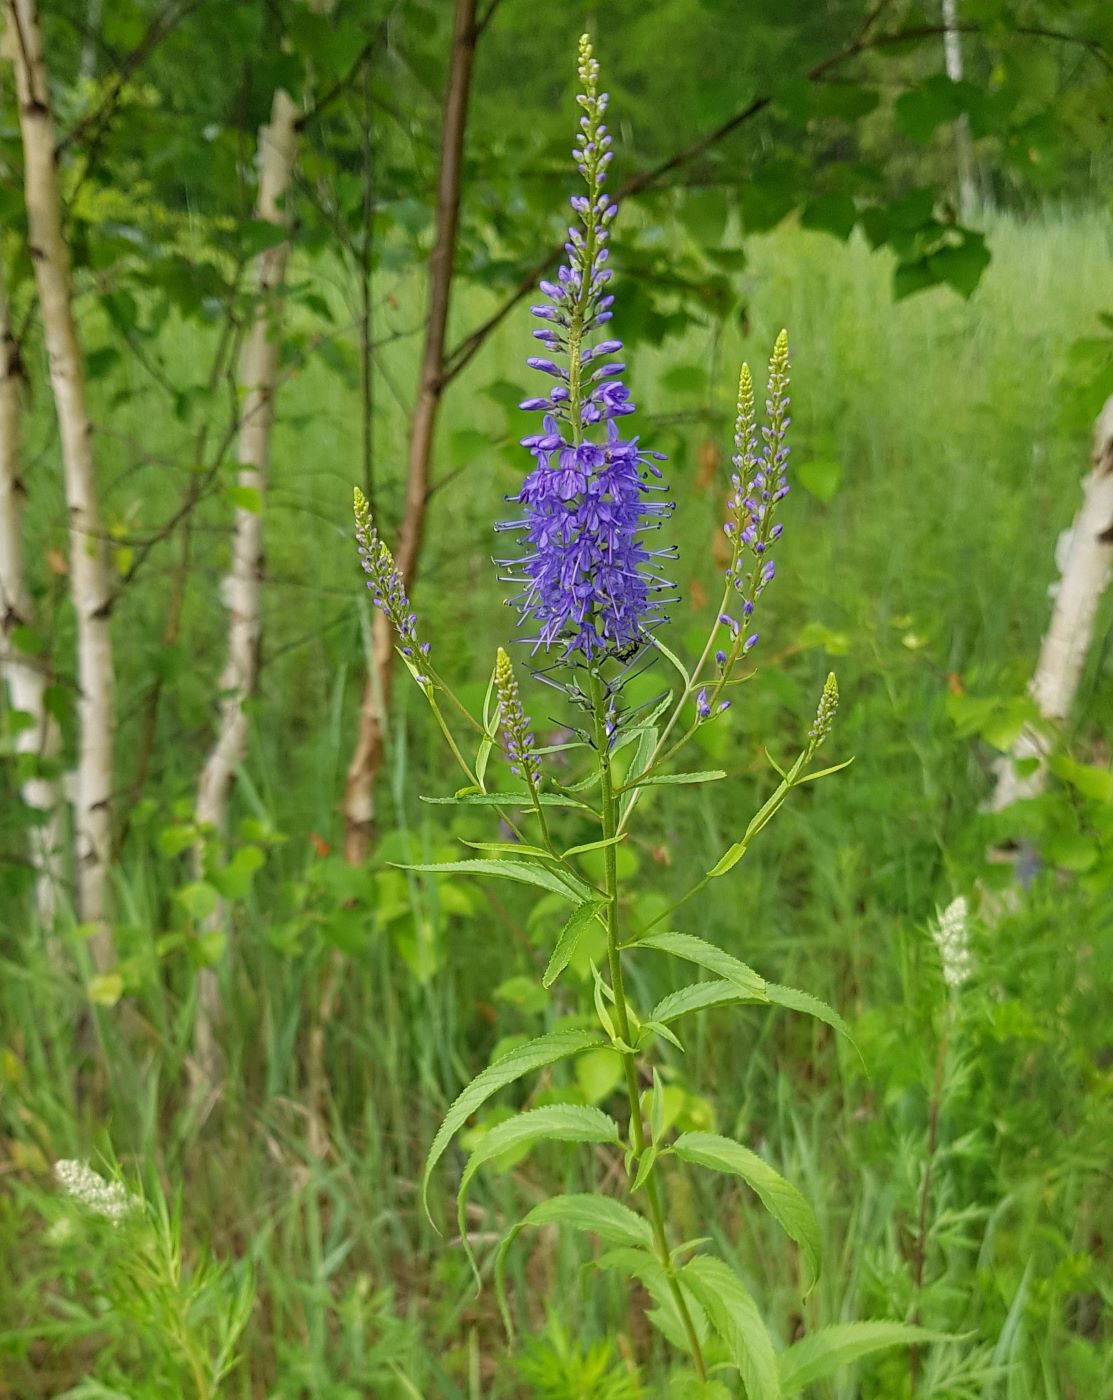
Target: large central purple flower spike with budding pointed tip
x,y
590,584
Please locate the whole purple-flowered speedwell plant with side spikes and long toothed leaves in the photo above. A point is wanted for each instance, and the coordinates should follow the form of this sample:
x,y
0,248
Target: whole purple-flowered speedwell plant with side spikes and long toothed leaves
x,y
591,594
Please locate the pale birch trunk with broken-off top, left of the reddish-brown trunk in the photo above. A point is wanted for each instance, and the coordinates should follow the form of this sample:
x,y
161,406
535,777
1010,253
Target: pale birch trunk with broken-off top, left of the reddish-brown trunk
x,y
243,586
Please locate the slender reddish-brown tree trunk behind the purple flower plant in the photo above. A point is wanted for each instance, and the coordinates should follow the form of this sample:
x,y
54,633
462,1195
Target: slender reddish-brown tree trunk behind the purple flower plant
x,y
367,758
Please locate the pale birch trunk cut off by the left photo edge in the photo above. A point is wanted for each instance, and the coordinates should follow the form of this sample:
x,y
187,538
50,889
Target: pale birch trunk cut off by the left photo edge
x,y
24,674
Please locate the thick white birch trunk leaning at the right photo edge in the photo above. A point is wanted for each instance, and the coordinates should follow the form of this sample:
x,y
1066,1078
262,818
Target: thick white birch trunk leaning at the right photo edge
x,y
1086,568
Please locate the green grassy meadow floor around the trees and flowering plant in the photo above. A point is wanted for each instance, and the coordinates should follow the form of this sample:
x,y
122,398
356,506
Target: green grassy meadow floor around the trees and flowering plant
x,y
944,447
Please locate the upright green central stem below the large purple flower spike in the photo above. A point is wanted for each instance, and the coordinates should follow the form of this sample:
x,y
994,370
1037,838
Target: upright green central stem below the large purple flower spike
x,y
622,1018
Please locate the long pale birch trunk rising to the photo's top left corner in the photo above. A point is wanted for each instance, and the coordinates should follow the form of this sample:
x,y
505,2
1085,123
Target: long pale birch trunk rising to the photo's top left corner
x,y
90,572
